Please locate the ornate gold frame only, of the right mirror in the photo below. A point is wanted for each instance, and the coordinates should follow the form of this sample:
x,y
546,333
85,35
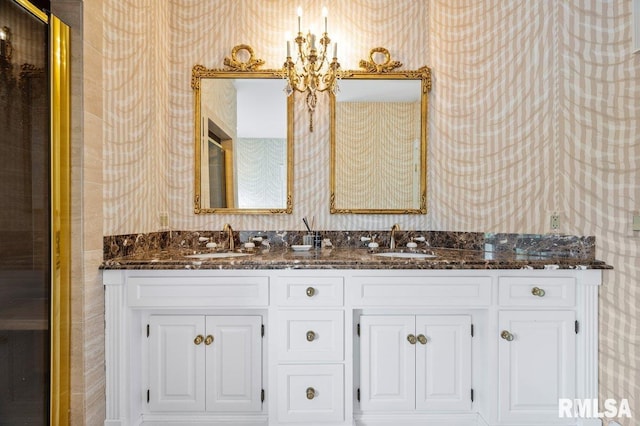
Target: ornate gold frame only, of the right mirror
x,y
383,70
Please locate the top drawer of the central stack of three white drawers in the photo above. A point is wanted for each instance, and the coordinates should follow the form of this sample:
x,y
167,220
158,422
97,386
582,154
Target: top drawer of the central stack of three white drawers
x,y
310,291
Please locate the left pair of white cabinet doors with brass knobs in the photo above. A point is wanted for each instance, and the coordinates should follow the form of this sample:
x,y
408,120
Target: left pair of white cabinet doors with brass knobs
x,y
205,363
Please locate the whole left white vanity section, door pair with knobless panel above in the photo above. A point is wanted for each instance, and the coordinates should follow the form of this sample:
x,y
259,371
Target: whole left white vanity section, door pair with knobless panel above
x,y
185,347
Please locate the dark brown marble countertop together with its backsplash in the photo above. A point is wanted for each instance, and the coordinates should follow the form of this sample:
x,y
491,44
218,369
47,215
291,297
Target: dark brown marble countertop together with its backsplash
x,y
348,250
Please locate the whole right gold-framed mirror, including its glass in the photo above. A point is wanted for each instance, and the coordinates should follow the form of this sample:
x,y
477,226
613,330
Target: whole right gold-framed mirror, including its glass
x,y
378,132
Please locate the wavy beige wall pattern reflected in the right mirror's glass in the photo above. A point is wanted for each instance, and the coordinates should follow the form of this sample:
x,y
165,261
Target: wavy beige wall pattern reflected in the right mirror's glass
x,y
378,157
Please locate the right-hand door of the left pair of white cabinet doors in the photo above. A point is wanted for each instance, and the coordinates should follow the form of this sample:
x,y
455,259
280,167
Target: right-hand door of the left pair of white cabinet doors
x,y
234,363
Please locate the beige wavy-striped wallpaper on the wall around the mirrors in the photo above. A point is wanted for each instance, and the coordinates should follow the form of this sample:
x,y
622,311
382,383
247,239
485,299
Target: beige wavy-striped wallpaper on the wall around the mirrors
x,y
535,108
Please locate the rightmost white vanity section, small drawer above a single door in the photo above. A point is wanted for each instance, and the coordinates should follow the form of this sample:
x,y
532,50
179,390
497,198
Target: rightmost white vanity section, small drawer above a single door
x,y
538,331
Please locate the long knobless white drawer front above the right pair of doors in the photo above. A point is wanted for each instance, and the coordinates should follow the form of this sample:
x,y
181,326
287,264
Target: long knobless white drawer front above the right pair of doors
x,y
421,291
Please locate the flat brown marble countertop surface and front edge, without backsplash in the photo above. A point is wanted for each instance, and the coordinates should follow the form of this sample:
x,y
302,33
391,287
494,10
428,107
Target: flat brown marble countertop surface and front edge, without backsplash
x,y
344,258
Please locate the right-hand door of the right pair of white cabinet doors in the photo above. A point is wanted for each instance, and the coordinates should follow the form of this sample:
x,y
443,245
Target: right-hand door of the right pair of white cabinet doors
x,y
443,362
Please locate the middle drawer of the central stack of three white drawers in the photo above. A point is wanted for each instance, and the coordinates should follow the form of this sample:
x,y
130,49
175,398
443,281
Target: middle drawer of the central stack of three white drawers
x,y
311,336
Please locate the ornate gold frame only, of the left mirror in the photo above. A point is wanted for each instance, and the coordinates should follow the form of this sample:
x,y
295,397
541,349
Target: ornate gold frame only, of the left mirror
x,y
236,68
